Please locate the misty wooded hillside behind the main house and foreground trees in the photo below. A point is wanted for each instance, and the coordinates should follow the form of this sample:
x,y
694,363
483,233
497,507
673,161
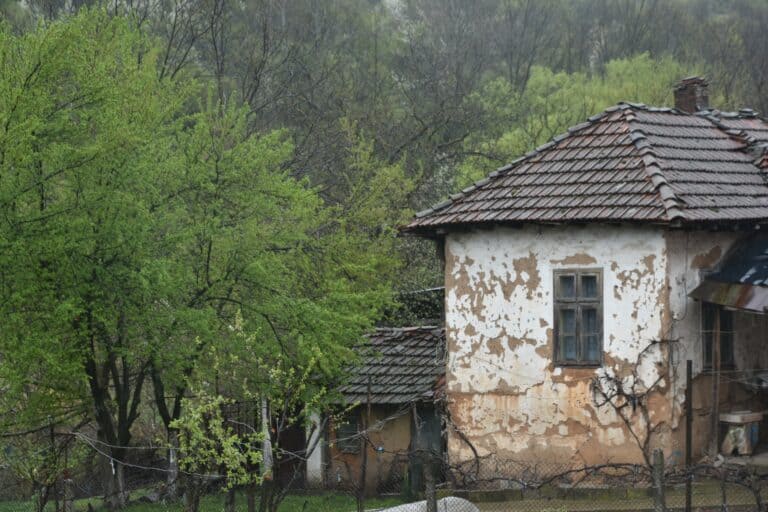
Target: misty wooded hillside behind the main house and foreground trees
x,y
438,92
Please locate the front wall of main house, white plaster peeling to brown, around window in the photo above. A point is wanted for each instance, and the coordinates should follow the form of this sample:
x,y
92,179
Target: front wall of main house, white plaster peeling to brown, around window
x,y
505,395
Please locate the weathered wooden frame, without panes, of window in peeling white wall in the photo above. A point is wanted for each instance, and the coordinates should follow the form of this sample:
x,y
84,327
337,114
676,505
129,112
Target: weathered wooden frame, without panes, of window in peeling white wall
x,y
577,302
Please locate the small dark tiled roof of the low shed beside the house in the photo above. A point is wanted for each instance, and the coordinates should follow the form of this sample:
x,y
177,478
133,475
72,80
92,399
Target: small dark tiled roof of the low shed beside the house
x,y
402,366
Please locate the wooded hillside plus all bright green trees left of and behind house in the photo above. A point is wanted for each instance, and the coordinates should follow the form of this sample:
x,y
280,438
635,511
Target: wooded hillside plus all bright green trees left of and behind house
x,y
201,197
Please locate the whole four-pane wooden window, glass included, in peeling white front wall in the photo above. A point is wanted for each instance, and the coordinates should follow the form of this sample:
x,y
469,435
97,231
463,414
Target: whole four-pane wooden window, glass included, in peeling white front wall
x,y
578,317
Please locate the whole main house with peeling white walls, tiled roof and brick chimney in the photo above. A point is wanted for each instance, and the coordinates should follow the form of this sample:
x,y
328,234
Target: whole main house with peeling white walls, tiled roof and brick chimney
x,y
581,277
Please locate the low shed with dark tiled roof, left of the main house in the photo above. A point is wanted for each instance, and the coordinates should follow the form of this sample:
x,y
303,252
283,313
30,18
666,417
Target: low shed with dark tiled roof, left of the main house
x,y
392,395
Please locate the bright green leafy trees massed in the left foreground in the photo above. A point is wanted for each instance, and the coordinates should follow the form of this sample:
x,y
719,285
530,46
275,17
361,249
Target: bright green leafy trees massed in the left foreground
x,y
133,232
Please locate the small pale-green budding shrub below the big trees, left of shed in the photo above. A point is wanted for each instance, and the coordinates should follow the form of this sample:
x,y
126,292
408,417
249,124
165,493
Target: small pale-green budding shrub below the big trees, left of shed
x,y
239,439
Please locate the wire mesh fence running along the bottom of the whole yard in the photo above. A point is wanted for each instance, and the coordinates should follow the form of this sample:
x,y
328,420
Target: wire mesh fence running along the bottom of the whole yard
x,y
424,484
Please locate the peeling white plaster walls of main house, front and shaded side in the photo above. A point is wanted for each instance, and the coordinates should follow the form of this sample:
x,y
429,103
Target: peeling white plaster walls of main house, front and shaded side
x,y
507,397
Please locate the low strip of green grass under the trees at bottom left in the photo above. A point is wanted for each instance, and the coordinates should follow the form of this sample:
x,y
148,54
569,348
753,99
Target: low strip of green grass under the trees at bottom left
x,y
327,502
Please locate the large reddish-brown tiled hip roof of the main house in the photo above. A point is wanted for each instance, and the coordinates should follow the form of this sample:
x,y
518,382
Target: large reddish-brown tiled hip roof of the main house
x,y
629,163
